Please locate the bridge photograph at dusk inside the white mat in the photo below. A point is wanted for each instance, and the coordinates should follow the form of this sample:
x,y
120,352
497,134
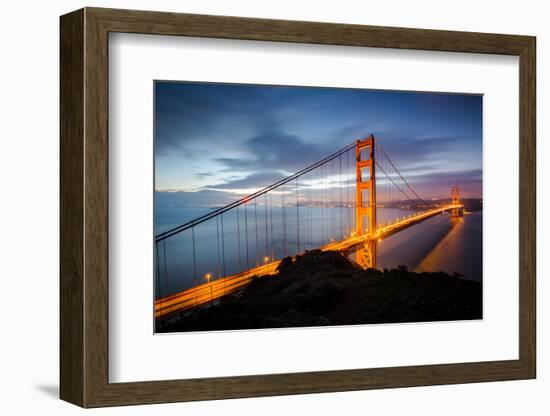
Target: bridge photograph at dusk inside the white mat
x,y
279,206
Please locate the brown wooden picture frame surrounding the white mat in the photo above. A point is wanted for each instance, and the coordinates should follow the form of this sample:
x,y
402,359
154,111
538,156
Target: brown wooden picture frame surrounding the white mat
x,y
84,207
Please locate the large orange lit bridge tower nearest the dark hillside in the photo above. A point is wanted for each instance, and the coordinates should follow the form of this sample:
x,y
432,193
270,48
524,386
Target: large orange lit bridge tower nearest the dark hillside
x,y
365,202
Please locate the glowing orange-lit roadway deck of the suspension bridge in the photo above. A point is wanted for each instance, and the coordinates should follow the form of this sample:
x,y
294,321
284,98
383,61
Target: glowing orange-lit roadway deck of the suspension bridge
x,y
208,292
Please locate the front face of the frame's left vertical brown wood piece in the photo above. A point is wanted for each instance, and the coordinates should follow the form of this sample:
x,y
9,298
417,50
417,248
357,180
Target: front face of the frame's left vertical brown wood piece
x,y
96,208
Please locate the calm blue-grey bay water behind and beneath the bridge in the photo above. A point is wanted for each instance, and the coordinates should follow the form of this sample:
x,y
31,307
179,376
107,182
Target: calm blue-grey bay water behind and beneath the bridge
x,y
251,235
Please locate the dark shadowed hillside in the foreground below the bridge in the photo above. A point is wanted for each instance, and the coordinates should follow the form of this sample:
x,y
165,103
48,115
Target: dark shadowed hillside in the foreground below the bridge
x,y
325,288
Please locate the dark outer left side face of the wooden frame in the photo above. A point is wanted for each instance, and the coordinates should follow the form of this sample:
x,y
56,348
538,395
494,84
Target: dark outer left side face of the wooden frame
x,y
71,210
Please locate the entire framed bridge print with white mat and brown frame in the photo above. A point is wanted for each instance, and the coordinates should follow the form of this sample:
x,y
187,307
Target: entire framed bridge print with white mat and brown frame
x,y
256,207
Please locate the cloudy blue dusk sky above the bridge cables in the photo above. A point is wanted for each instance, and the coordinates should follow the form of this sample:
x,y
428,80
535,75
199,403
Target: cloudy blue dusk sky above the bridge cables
x,y
214,142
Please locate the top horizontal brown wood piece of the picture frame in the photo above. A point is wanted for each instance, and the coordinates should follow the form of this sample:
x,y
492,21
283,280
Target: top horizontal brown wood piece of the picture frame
x,y
178,24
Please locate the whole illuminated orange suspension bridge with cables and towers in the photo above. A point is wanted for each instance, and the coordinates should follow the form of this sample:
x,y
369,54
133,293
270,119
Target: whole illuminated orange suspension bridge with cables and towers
x,y
346,202
